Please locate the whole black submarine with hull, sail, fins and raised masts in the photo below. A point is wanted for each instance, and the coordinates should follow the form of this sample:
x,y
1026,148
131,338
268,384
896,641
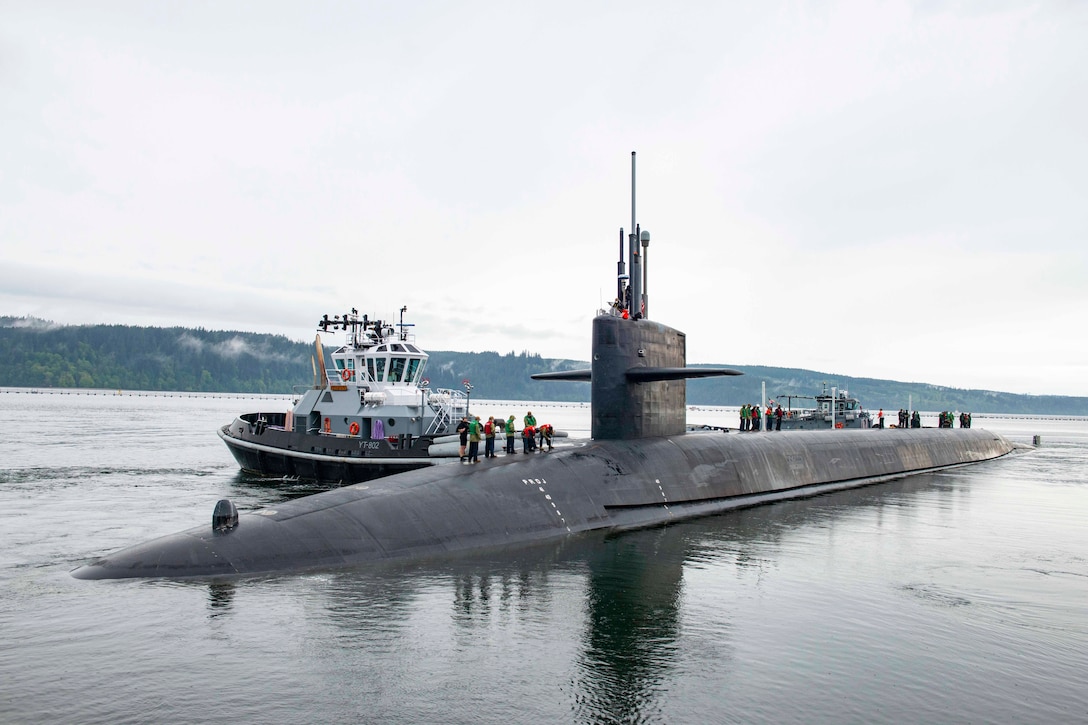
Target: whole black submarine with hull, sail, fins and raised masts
x,y
641,468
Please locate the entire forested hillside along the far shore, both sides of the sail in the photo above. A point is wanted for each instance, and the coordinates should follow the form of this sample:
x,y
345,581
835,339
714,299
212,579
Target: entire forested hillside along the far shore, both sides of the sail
x,y
39,354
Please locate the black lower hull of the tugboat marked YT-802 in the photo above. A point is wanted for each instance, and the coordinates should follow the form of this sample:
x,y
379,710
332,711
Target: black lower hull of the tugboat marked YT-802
x,y
337,460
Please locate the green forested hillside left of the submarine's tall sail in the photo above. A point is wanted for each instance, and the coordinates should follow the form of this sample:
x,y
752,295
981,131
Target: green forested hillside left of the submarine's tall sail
x,y
38,354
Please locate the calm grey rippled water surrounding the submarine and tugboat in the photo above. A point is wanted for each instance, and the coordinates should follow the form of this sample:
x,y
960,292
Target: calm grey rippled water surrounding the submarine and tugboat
x,y
959,597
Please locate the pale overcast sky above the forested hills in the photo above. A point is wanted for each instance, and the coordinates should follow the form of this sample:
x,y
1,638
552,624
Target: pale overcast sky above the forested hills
x,y
886,190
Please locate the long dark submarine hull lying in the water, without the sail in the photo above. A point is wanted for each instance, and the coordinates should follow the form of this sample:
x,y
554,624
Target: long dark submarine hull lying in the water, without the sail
x,y
601,485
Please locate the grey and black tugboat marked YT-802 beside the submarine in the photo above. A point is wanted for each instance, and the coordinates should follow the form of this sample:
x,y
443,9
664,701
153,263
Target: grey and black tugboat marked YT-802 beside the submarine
x,y
372,414
